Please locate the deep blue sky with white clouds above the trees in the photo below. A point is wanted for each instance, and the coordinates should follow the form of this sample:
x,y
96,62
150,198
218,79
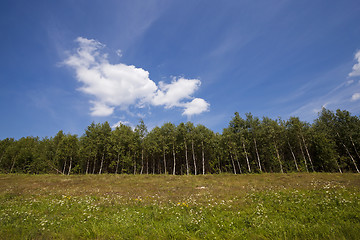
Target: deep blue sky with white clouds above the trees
x,y
64,64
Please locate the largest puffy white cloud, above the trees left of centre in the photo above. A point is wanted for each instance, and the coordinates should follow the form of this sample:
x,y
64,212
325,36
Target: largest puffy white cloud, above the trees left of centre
x,y
120,85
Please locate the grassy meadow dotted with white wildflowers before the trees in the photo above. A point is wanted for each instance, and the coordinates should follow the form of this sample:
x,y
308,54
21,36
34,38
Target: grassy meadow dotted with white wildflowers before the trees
x,y
254,206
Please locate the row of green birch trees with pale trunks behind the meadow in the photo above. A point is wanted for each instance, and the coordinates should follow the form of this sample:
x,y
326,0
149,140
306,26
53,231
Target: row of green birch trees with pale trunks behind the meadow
x,y
248,145
